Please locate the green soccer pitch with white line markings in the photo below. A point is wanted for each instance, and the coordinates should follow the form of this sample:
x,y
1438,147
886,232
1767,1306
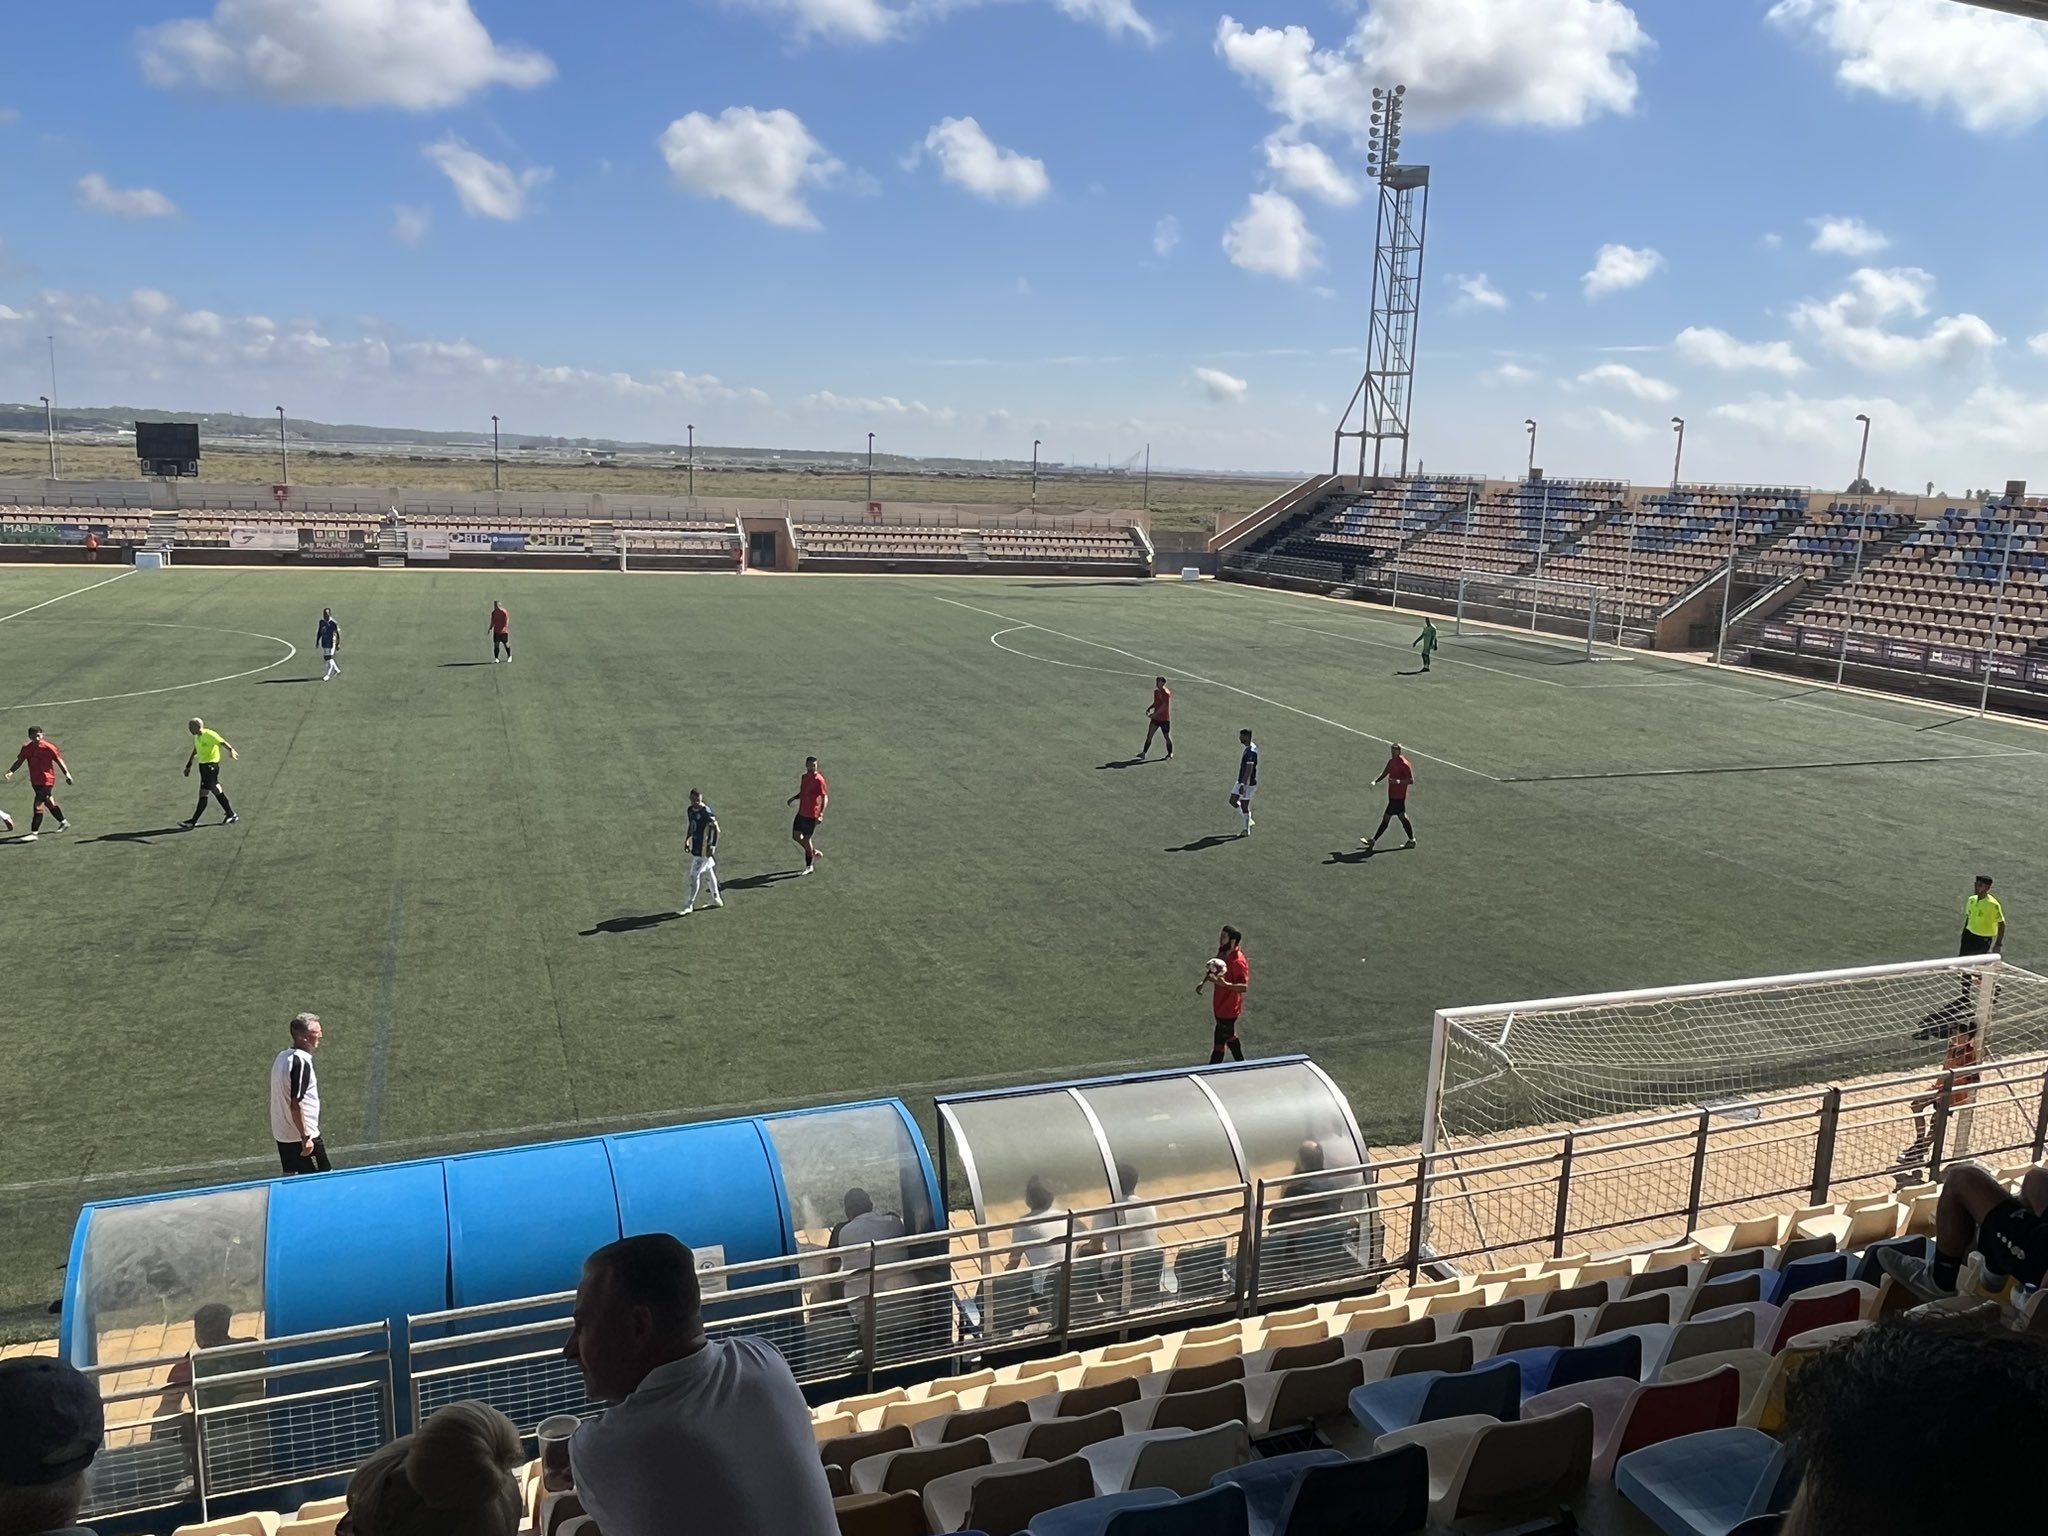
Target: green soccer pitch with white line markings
x,y
470,871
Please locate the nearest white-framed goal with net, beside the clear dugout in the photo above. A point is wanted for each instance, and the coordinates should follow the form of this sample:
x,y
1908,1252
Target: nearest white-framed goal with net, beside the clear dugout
x,y
1695,1105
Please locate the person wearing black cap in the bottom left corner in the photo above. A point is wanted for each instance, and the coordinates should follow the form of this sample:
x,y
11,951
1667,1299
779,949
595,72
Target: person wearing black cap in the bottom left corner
x,y
50,1433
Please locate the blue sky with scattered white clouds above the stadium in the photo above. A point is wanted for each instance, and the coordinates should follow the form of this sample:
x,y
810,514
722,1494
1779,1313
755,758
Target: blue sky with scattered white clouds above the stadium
x,y
1099,224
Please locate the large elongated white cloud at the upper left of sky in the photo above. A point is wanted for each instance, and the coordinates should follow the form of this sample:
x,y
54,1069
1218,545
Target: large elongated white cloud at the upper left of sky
x,y
413,54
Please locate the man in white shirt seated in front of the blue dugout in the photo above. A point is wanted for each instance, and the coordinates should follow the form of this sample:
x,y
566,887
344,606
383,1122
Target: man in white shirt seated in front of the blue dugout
x,y
701,1435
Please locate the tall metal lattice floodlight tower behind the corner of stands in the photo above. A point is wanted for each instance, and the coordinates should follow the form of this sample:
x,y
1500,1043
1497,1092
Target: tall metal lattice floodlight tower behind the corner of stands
x,y
1381,400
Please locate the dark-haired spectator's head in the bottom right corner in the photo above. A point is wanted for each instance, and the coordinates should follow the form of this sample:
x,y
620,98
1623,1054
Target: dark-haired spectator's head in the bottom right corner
x,y
1918,1424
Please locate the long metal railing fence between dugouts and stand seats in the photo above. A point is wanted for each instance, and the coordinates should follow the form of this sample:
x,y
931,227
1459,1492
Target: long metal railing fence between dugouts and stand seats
x,y
312,1406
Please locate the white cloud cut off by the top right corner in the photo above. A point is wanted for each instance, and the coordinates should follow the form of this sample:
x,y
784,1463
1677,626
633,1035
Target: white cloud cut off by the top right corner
x,y
1988,69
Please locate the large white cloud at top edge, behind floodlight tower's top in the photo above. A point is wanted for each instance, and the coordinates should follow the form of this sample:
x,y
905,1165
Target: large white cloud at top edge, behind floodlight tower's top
x,y
1506,62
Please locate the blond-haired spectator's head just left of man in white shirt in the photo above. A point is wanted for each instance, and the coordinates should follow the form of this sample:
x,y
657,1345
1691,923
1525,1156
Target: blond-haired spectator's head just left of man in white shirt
x,y
458,1476
